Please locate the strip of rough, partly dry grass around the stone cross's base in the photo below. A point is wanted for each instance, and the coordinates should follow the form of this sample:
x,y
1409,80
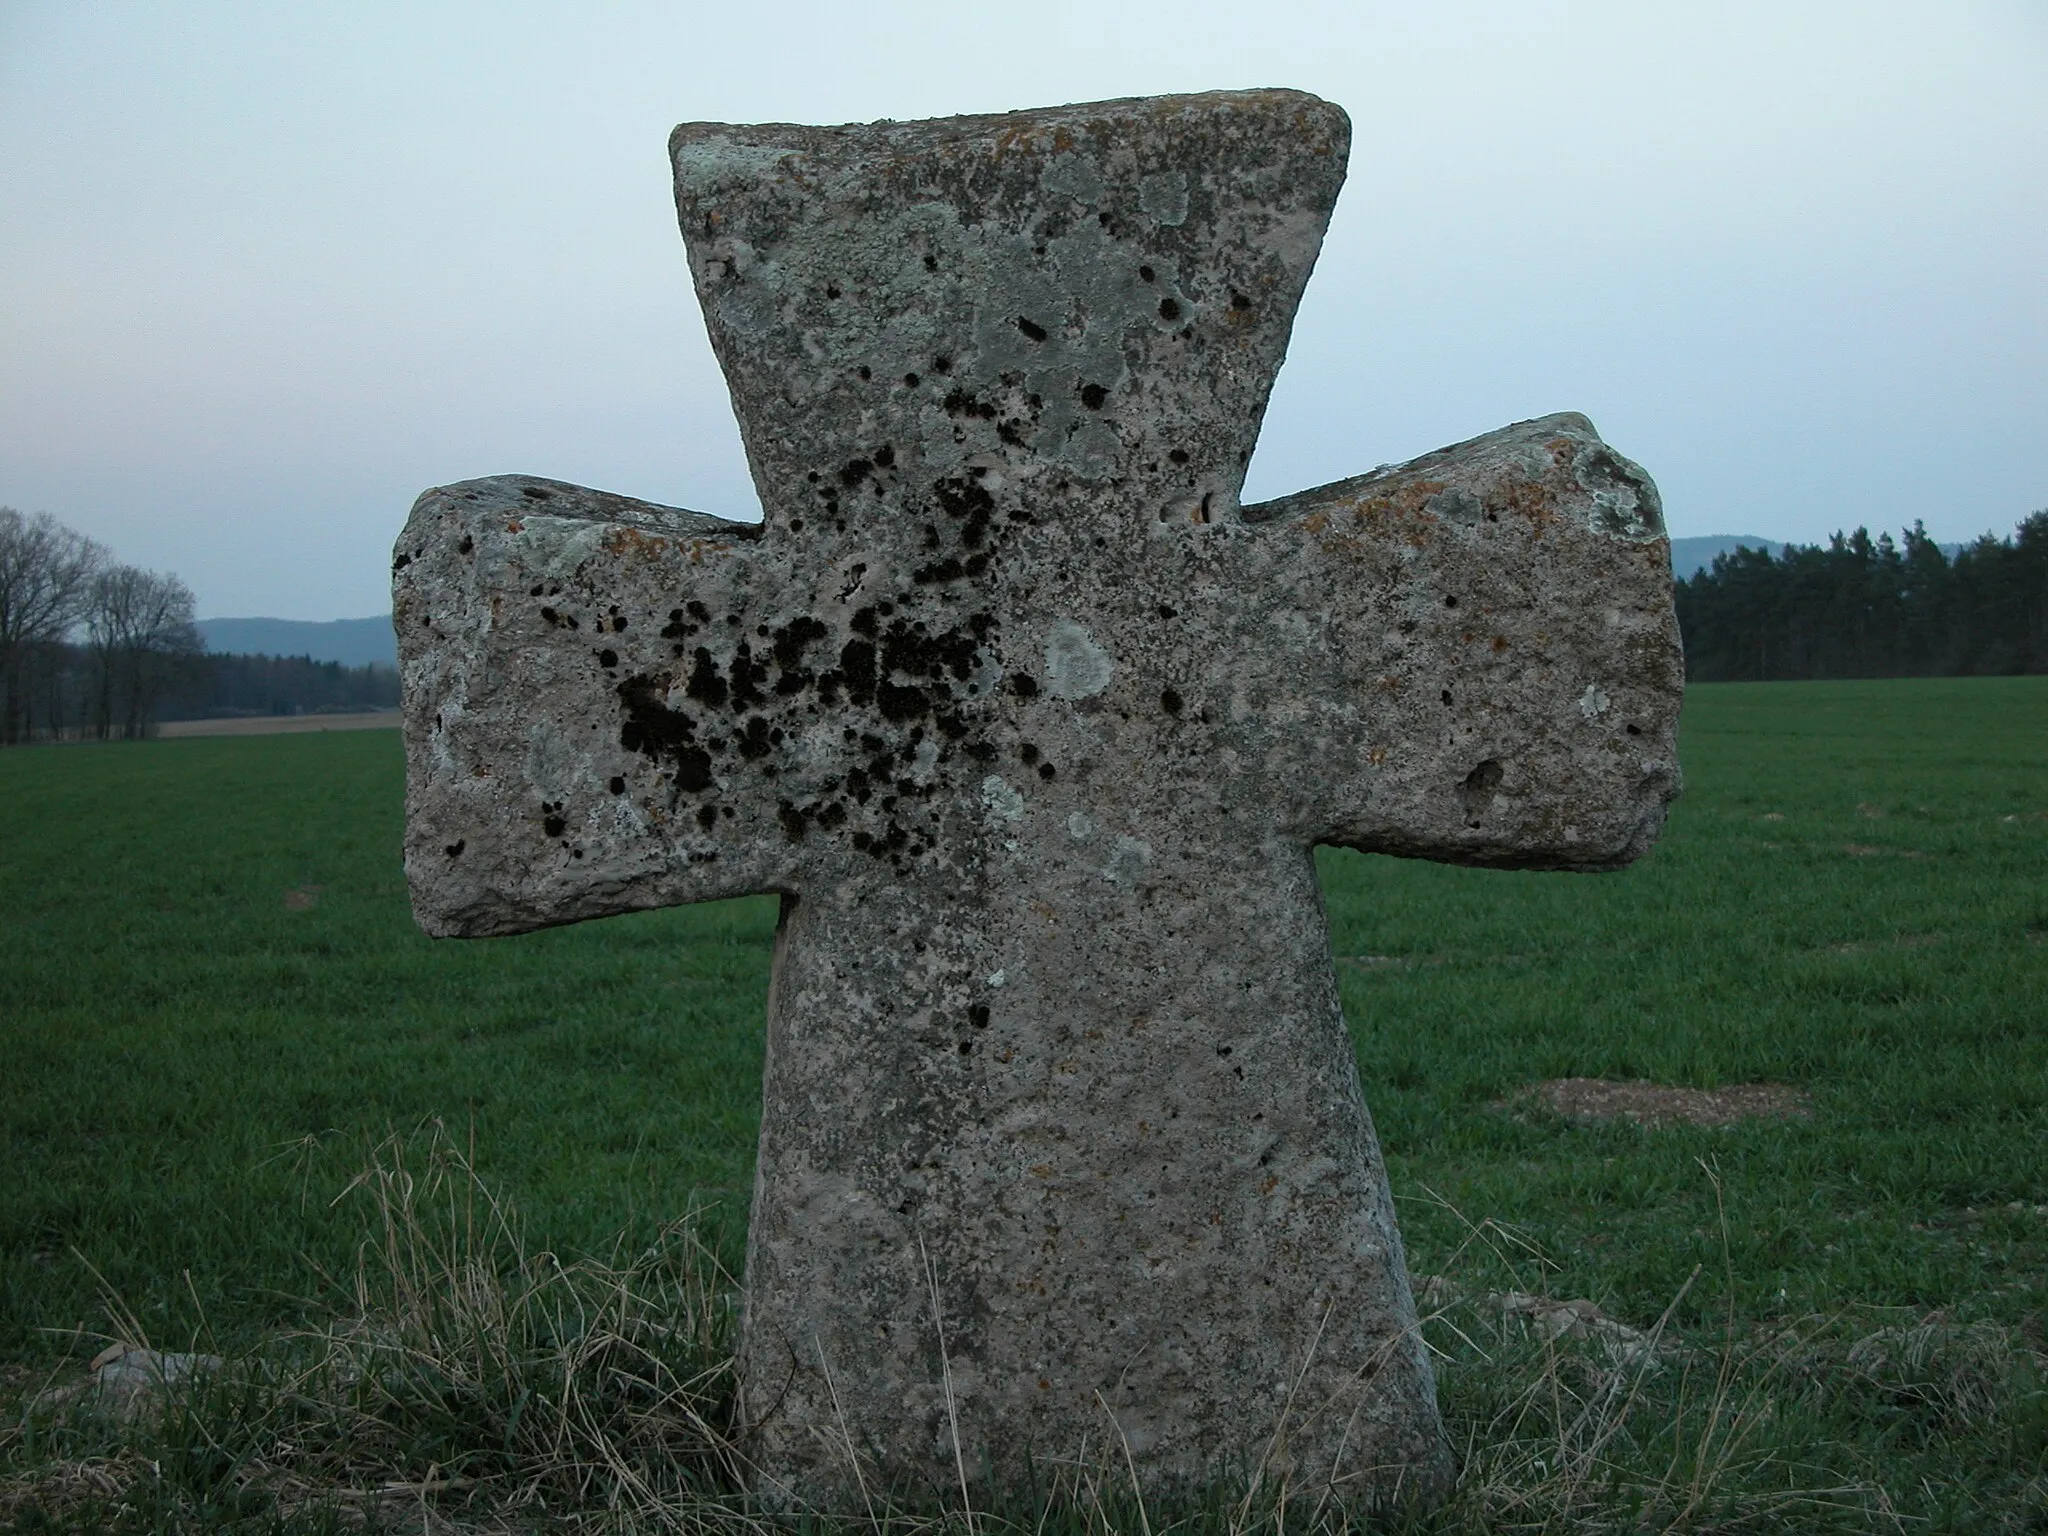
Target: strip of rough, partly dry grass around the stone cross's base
x,y
468,1383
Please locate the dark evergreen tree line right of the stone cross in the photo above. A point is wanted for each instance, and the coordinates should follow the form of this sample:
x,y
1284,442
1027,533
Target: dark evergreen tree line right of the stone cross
x,y
1869,607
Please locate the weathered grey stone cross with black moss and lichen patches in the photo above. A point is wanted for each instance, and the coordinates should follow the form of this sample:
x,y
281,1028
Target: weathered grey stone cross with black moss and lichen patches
x,y
1033,728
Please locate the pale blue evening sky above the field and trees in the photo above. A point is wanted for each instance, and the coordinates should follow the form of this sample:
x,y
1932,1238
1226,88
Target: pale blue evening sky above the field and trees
x,y
267,271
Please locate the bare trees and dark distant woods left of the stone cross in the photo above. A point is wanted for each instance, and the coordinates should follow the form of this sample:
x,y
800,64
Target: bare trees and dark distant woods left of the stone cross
x,y
99,650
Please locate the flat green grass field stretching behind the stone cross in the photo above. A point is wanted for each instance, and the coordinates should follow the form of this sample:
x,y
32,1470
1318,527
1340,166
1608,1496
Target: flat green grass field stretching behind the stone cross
x,y
212,998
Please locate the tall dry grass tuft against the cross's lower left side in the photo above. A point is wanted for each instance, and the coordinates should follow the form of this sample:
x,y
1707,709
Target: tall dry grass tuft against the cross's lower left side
x,y
468,1367
